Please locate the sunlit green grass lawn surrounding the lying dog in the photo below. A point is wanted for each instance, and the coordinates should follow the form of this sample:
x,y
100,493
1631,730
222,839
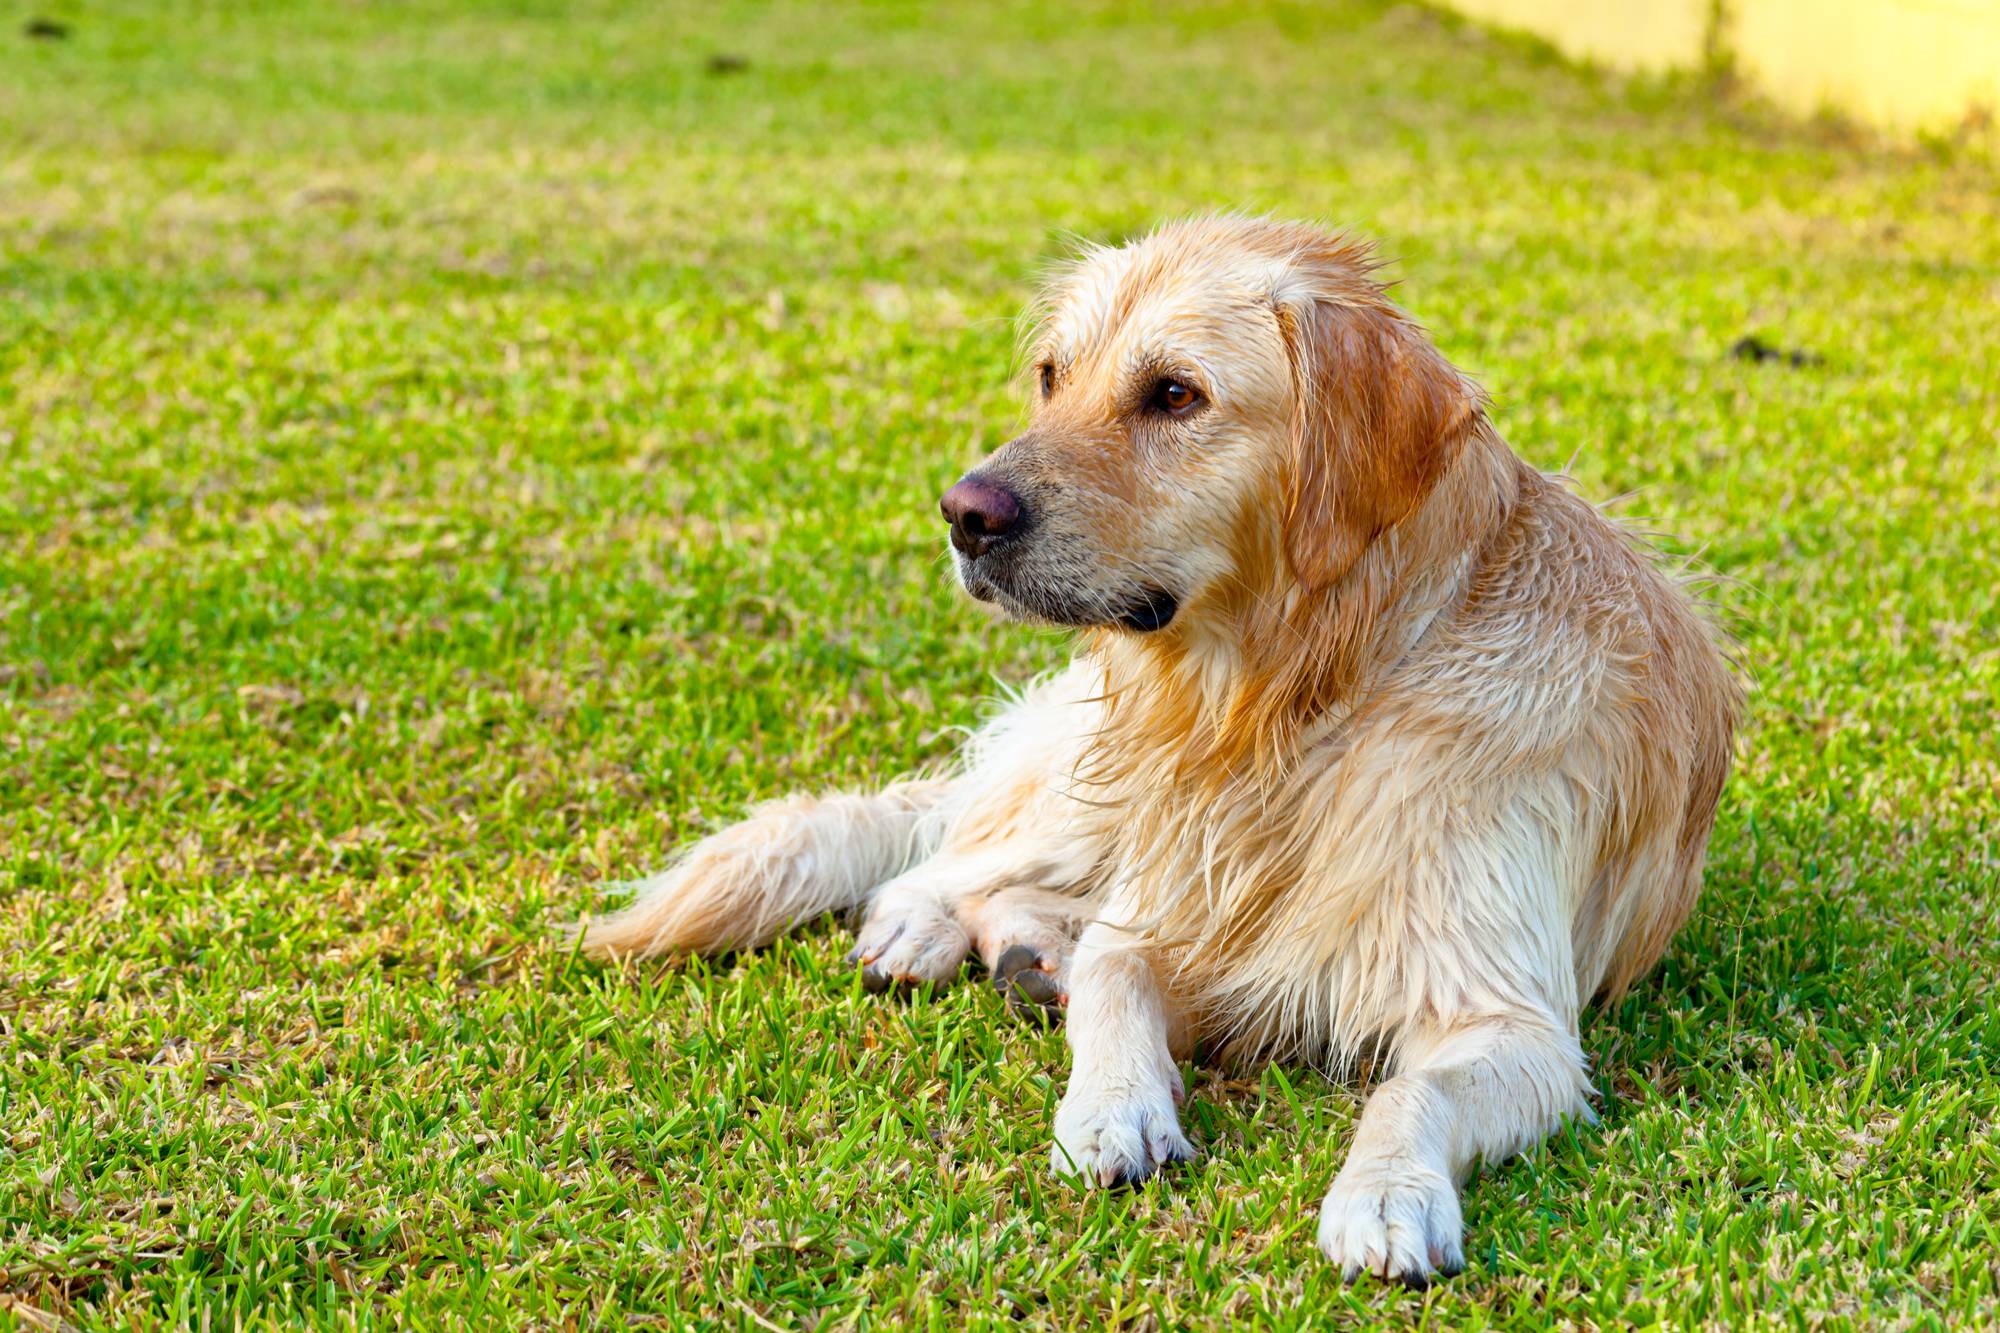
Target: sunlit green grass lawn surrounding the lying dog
x,y
451,455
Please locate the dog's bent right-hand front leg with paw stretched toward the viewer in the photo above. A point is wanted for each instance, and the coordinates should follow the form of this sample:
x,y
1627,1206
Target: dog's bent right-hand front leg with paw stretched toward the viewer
x,y
1483,1088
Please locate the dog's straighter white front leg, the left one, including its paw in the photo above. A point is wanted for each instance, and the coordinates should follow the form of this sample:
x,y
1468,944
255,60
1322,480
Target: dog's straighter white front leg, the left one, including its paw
x,y
1119,1120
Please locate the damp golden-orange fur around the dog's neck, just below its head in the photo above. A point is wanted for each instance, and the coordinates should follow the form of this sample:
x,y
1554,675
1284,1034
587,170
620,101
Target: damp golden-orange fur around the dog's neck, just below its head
x,y
1241,698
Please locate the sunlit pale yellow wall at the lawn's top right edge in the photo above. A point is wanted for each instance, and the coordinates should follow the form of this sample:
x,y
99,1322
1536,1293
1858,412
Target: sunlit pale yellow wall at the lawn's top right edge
x,y
1901,65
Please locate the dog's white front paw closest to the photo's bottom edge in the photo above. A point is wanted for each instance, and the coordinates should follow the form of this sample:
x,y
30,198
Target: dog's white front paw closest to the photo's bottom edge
x,y
1397,1220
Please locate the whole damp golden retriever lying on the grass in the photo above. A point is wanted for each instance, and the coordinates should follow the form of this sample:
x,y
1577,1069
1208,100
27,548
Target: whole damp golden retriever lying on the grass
x,y
1379,748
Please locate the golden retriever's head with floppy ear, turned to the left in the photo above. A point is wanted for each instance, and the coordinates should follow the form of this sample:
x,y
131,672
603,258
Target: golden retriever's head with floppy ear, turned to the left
x,y
1225,411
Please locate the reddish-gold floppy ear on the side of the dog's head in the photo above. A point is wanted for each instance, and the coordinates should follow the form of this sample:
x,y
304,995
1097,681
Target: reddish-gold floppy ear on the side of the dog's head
x,y
1379,415
